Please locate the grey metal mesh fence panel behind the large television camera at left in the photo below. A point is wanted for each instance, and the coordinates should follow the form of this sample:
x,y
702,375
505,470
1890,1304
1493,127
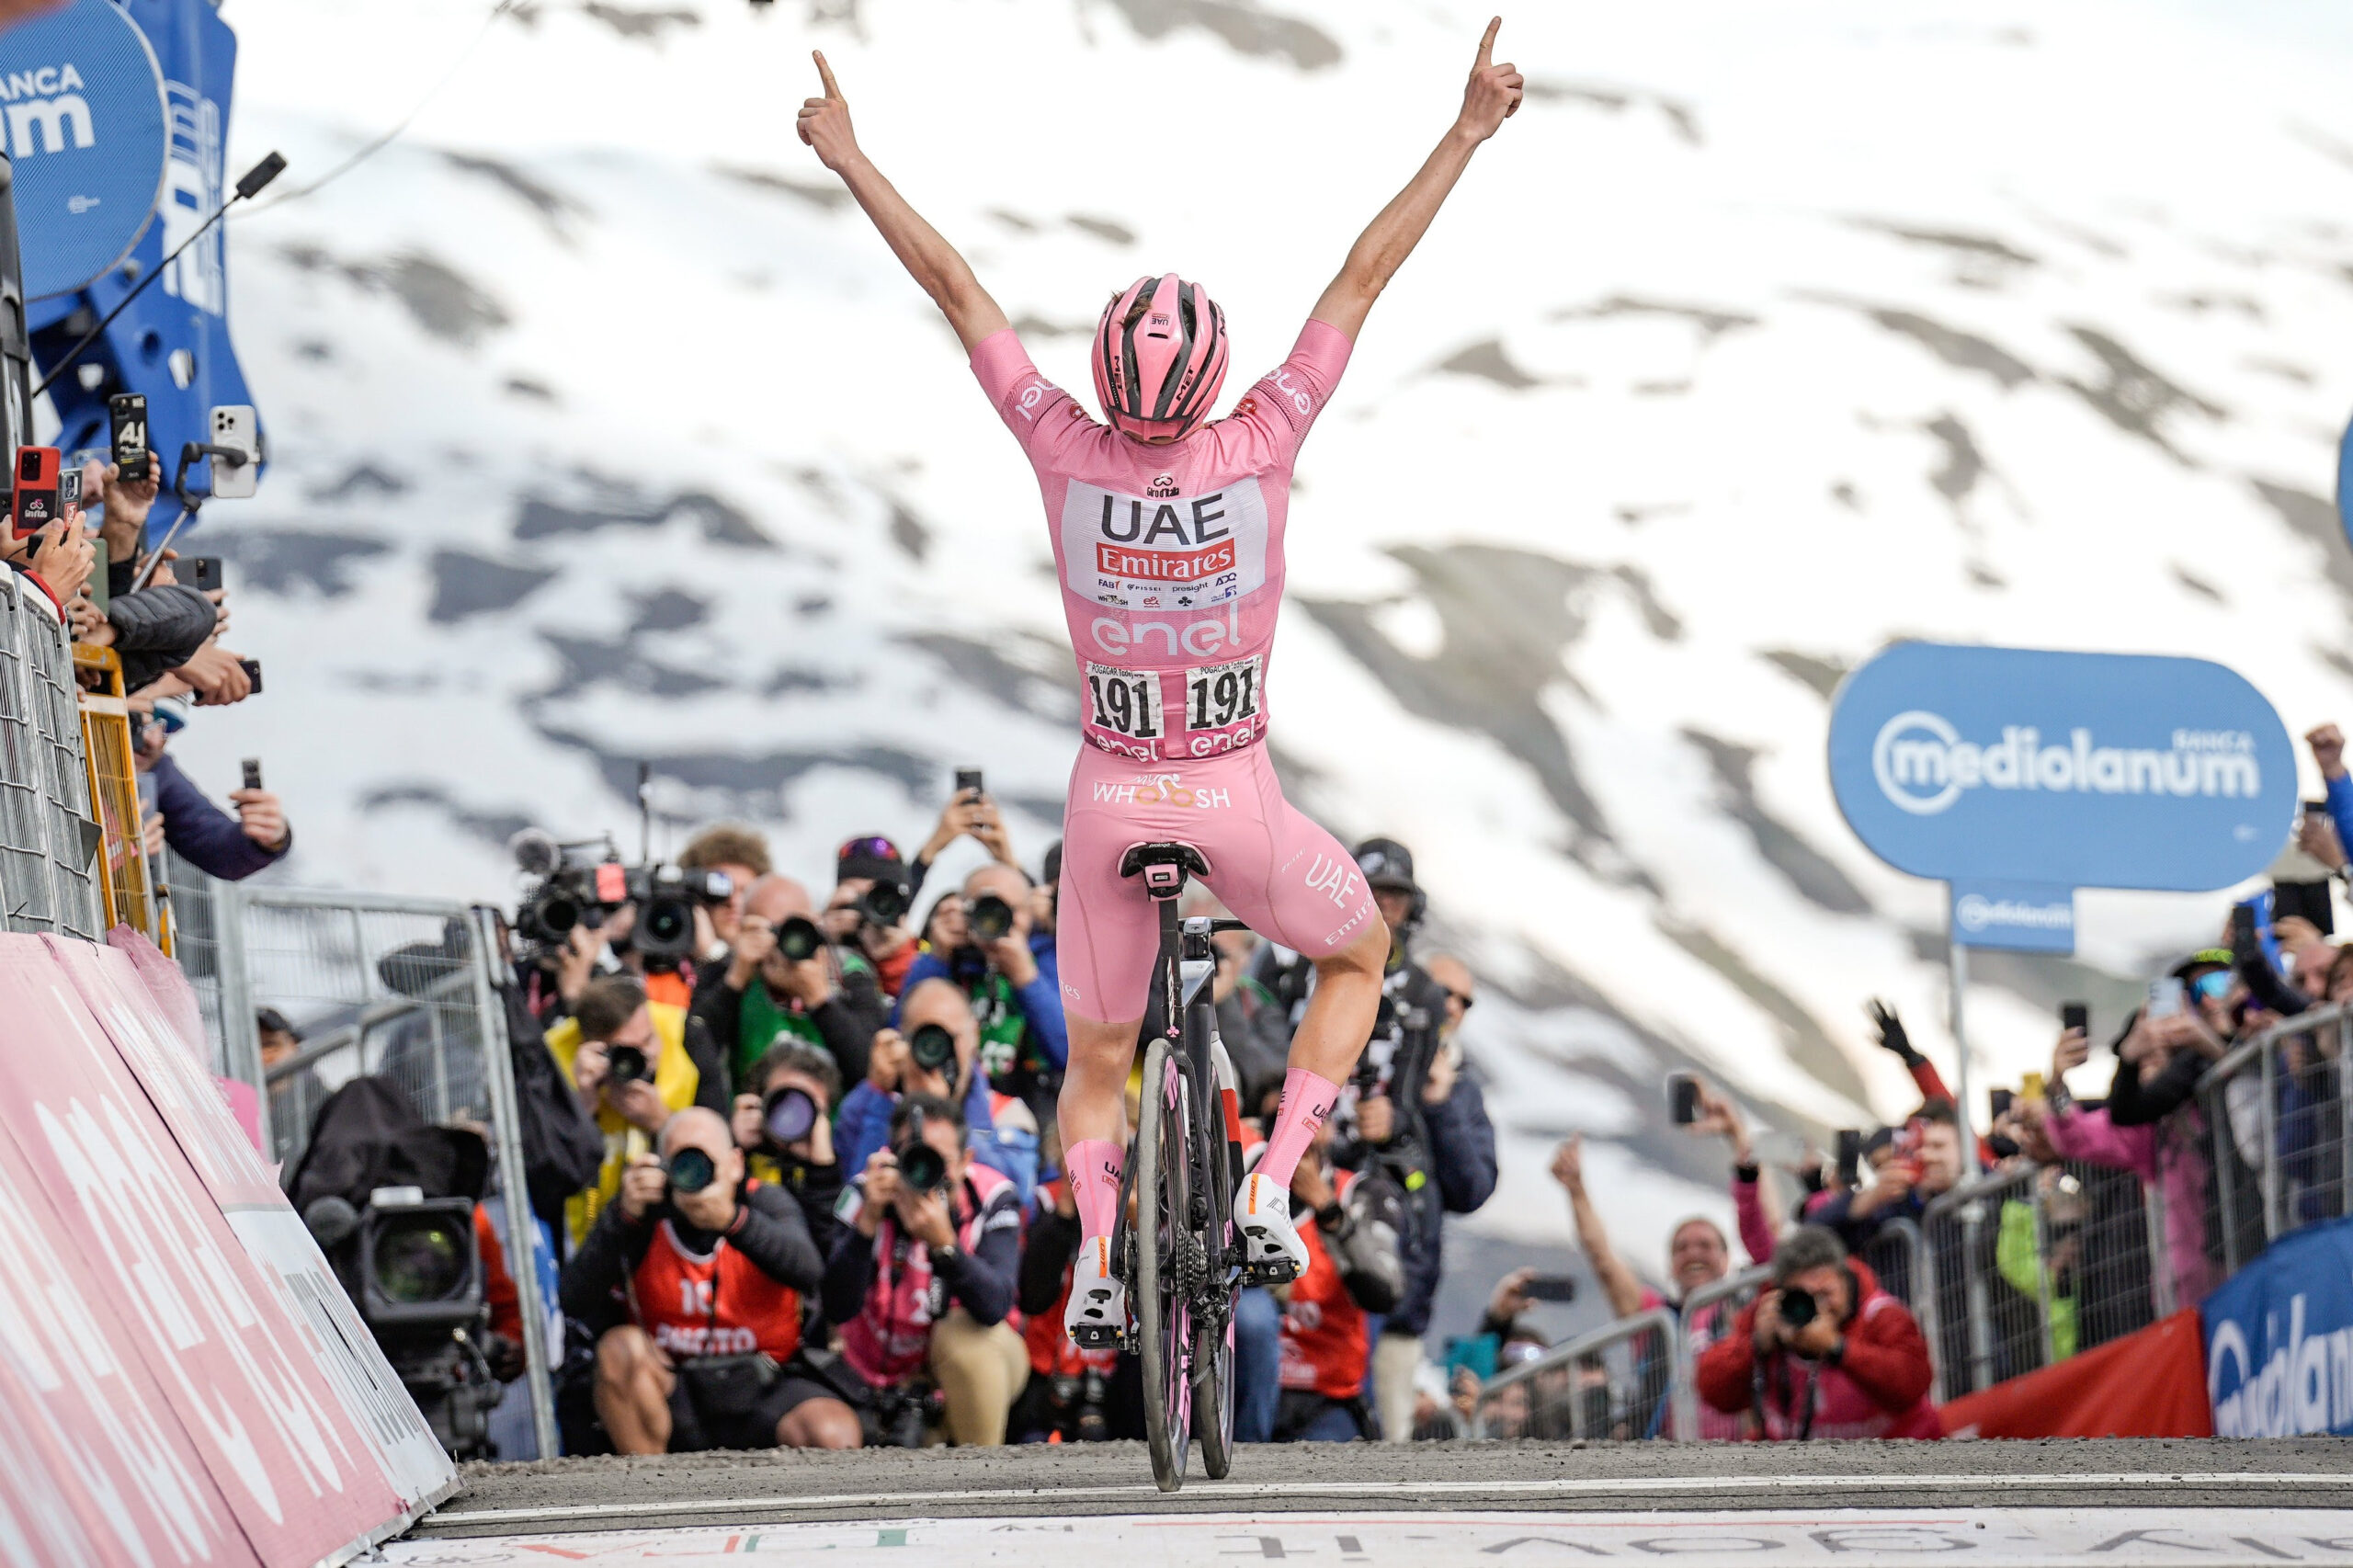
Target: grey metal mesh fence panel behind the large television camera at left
x,y
375,985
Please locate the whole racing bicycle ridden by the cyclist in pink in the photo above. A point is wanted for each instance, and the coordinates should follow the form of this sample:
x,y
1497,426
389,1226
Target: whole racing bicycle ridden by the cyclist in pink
x,y
1182,1258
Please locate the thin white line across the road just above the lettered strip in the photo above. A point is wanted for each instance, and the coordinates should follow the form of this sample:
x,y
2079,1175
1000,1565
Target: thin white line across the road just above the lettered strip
x,y
1244,1491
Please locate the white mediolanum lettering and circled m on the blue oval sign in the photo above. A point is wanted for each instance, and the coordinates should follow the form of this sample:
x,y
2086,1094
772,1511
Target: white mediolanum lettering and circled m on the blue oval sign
x,y
1924,766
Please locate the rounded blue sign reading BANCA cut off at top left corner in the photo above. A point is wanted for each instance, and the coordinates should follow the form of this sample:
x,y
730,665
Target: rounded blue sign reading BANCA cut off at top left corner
x,y
84,121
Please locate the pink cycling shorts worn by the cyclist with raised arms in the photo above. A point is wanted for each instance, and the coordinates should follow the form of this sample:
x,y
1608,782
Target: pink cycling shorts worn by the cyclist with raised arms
x,y
1269,865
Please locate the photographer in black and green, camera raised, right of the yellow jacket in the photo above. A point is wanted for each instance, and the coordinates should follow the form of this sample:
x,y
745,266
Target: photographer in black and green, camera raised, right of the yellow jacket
x,y
782,978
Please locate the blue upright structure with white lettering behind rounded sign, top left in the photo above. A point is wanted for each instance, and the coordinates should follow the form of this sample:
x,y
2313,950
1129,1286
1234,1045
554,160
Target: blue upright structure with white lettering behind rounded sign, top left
x,y
173,343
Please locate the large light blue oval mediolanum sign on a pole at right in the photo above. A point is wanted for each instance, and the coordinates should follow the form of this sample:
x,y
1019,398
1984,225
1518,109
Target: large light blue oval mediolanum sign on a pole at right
x,y
2062,769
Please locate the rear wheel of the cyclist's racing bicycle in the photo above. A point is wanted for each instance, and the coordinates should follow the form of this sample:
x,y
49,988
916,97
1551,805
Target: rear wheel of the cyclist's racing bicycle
x,y
1164,1298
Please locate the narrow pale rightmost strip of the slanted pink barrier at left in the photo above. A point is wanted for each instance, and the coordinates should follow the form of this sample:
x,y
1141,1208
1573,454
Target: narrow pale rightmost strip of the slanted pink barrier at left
x,y
121,988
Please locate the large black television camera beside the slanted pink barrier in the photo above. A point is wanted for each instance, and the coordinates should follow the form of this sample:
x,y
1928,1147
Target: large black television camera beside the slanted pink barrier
x,y
420,1289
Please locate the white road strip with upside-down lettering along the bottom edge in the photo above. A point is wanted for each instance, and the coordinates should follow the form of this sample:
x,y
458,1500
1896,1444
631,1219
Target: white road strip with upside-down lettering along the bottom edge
x,y
1785,1539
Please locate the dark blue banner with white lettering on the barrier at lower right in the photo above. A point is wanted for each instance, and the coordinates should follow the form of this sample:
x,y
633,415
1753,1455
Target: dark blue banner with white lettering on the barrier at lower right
x,y
2281,1338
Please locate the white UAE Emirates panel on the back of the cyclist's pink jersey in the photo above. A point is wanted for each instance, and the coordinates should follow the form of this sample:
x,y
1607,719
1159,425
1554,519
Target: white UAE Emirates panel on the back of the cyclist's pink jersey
x,y
1164,554
